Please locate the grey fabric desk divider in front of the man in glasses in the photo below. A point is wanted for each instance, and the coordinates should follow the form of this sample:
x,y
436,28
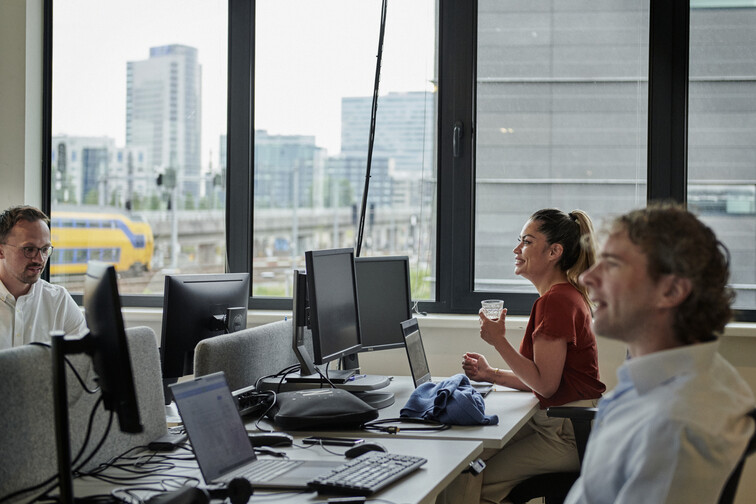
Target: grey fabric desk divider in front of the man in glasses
x,y
27,432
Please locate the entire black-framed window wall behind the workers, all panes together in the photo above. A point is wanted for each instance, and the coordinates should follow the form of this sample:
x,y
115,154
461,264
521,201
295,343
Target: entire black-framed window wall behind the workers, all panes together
x,y
487,111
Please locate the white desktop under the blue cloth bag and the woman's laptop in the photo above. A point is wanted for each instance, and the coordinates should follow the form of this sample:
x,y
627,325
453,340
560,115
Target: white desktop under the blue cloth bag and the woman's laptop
x,y
514,408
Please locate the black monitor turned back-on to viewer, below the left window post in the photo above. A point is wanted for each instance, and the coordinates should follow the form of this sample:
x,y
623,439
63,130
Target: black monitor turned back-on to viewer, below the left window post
x,y
196,307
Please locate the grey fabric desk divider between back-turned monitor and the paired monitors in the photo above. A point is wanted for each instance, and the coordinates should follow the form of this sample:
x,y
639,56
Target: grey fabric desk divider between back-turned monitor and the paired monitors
x,y
247,355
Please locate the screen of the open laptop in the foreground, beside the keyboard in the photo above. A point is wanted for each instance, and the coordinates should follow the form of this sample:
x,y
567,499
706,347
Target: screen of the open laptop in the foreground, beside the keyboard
x,y
214,426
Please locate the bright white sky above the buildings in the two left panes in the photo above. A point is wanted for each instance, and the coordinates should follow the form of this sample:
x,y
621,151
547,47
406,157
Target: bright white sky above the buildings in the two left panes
x,y
111,35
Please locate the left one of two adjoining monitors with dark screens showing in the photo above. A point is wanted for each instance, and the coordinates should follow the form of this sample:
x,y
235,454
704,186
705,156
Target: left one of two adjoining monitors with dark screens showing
x,y
332,295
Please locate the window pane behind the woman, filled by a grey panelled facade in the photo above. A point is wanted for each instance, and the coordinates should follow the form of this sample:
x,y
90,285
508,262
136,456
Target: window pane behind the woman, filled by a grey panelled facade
x,y
561,108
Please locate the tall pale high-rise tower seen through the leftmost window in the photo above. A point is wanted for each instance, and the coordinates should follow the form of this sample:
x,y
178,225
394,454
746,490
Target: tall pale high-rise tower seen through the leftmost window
x,y
163,112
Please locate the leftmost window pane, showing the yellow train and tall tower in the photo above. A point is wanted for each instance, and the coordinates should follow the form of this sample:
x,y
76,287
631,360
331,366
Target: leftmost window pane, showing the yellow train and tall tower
x,y
137,151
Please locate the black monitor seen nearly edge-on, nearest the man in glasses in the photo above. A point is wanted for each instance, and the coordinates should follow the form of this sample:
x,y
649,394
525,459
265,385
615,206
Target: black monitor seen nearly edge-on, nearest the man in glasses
x,y
110,352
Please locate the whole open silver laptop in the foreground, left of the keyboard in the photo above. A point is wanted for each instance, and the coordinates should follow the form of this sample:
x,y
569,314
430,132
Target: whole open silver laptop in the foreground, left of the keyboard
x,y
221,444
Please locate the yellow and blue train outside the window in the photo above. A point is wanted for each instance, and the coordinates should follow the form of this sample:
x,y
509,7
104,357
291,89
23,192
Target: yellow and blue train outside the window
x,y
79,237
